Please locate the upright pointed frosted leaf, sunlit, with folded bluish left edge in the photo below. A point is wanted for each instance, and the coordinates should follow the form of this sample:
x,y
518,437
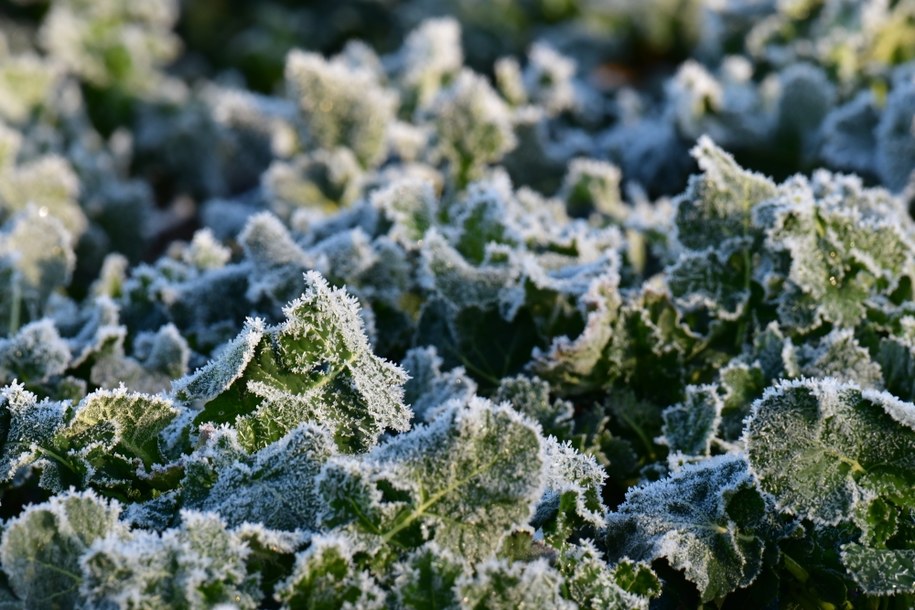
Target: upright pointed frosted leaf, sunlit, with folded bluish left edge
x,y
317,366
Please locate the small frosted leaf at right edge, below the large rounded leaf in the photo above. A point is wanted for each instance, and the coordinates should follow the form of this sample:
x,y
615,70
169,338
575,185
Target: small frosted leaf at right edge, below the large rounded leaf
x,y
881,571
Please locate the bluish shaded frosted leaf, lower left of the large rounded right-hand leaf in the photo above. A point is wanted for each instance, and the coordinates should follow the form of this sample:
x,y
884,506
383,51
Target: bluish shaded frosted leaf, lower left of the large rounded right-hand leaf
x,y
704,520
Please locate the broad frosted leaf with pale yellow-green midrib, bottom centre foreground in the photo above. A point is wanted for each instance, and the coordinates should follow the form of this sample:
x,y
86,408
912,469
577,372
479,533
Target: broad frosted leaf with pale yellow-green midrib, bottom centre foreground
x,y
463,481
